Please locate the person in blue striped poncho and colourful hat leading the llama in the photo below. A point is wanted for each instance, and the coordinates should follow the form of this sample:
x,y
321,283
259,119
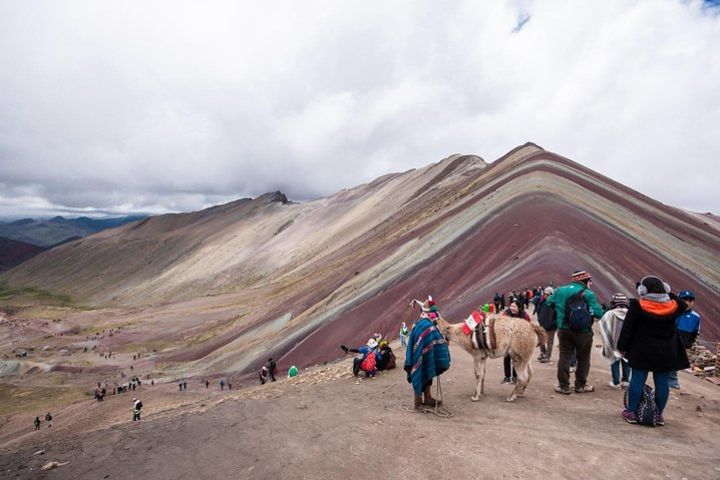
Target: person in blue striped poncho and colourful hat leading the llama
x,y
427,355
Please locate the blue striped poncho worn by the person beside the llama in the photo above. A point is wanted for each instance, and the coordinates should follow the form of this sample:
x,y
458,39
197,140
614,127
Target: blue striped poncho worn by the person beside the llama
x,y
427,354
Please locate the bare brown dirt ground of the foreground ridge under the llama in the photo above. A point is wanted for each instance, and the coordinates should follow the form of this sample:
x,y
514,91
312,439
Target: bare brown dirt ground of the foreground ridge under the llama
x,y
326,424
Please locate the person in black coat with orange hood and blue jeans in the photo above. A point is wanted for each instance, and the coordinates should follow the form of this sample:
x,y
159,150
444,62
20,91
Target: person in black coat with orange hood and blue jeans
x,y
650,342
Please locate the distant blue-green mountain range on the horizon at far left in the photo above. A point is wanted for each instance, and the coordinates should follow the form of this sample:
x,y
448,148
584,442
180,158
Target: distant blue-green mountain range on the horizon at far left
x,y
57,230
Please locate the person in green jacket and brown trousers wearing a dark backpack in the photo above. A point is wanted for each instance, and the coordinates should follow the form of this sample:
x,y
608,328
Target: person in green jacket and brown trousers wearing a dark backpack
x,y
575,305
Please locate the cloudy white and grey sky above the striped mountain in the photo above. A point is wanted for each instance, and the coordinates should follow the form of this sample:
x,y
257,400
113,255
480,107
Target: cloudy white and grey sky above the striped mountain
x,y
116,107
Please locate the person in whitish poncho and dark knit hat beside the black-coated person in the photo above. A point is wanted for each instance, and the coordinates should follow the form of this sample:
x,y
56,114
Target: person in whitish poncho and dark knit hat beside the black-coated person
x,y
610,327
